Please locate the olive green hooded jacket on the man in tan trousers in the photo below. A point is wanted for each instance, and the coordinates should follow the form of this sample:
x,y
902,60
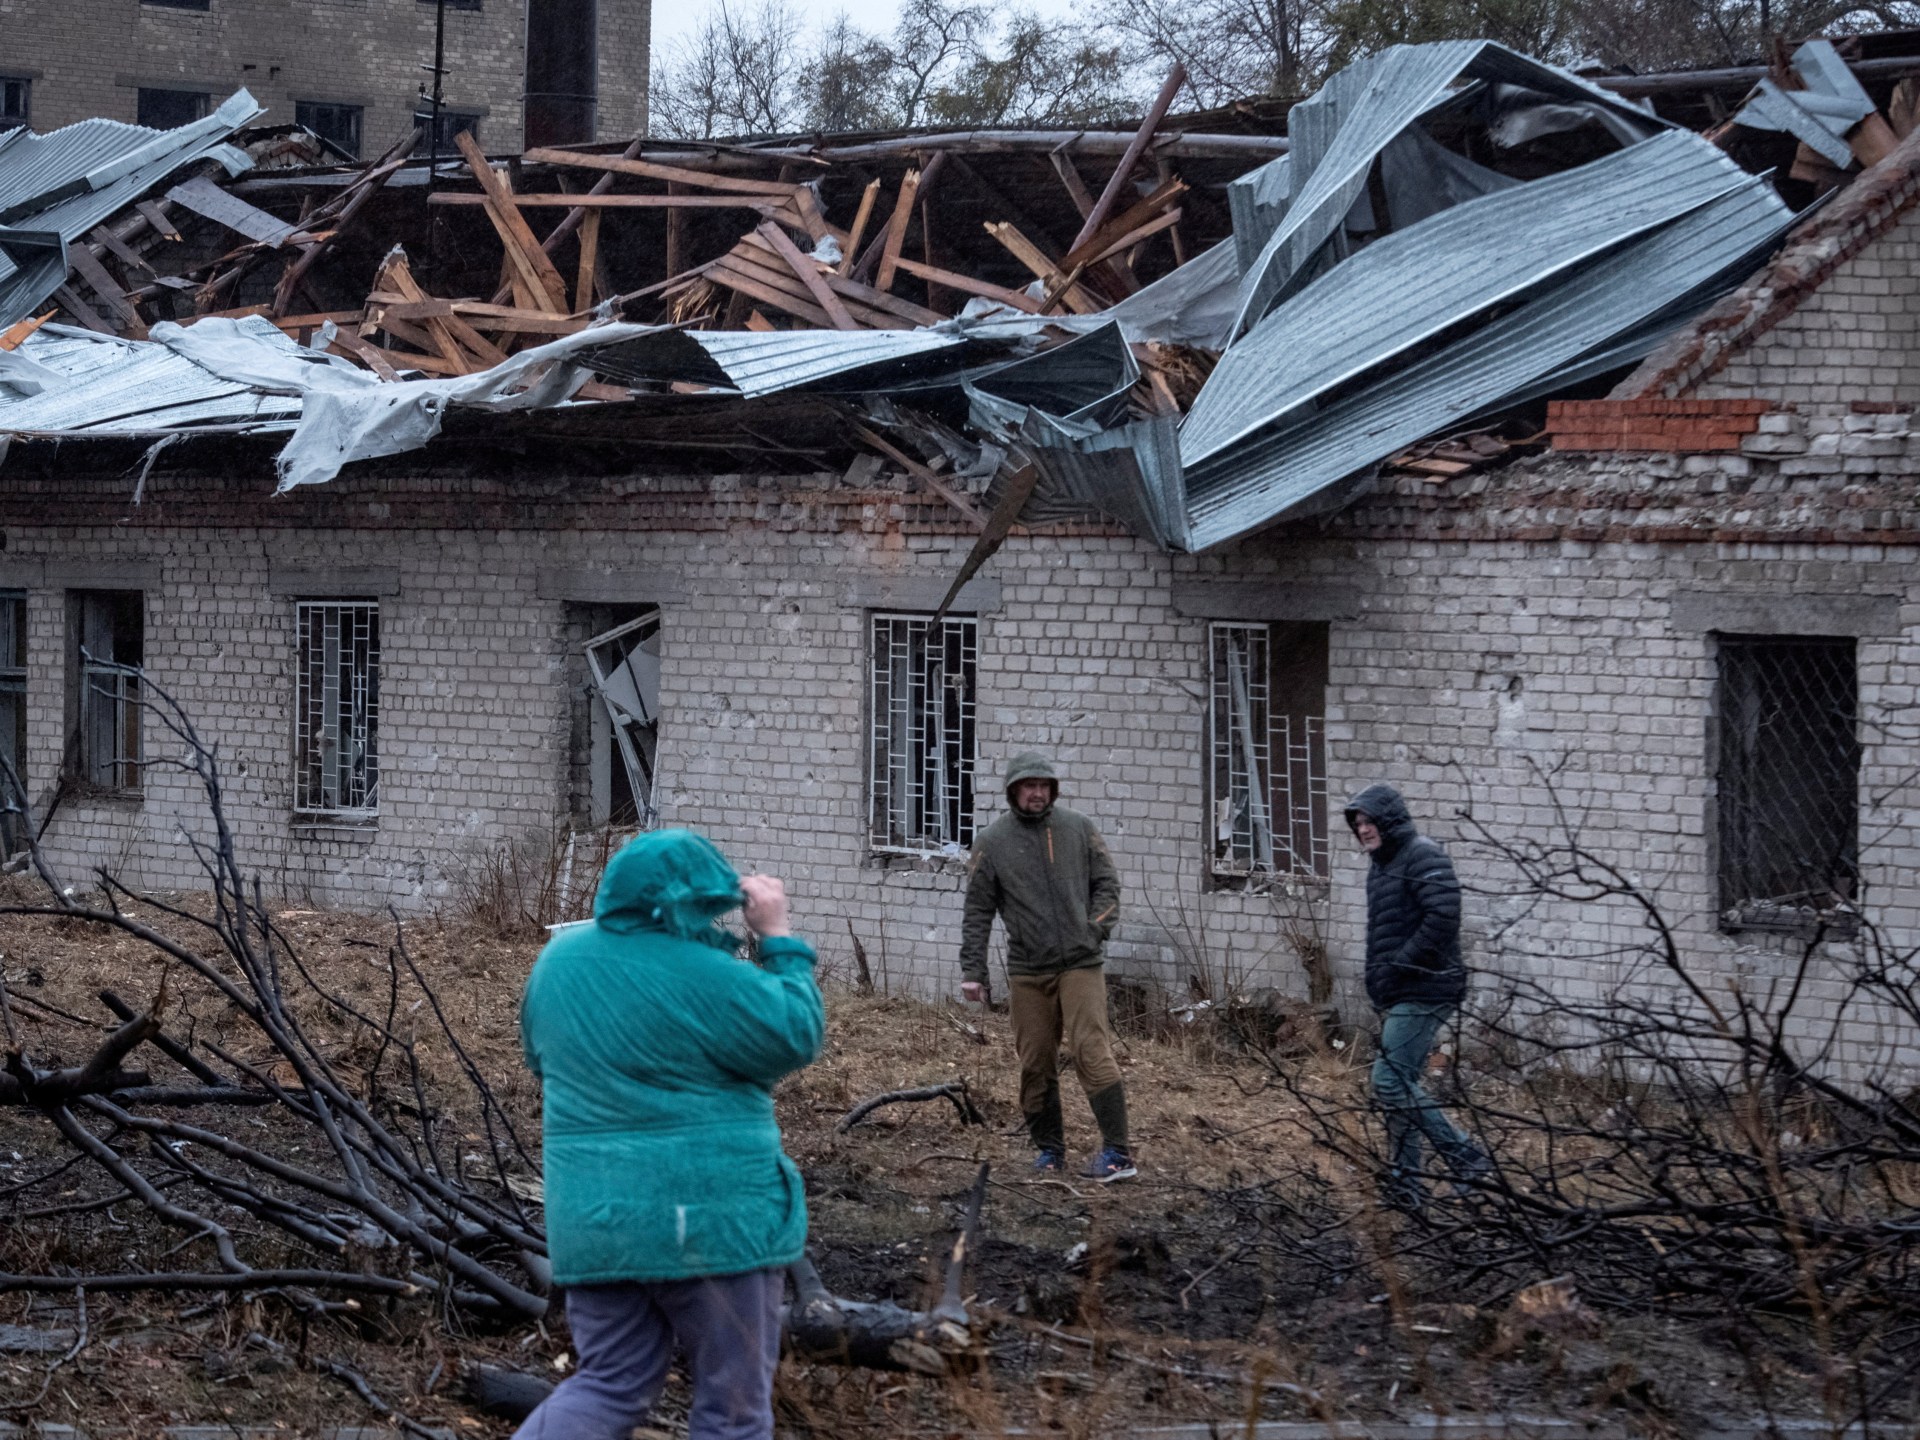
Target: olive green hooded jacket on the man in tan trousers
x,y
1049,876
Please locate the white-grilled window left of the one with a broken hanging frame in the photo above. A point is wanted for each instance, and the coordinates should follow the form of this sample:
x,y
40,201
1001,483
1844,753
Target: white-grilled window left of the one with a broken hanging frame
x,y
337,750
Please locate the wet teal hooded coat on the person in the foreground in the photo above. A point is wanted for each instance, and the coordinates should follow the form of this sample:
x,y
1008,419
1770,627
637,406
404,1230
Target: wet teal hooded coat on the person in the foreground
x,y
660,1051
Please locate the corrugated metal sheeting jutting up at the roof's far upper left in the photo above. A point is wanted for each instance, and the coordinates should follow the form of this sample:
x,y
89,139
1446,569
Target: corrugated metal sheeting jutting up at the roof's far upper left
x,y
74,180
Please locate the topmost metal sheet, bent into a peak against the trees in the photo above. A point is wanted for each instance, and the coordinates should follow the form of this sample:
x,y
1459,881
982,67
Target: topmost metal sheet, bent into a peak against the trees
x,y
1341,130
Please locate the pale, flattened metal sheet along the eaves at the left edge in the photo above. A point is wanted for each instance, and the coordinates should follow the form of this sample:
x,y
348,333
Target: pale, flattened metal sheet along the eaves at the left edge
x,y
126,385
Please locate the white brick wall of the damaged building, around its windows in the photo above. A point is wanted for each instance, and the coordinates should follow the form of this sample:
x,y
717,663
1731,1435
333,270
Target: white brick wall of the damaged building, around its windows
x,y
1472,669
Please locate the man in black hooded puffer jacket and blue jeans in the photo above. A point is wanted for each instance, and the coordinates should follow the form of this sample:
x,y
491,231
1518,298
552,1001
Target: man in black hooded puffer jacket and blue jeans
x,y
1416,982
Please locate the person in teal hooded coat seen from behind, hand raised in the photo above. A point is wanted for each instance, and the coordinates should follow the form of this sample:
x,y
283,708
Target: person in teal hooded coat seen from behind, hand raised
x,y
671,1209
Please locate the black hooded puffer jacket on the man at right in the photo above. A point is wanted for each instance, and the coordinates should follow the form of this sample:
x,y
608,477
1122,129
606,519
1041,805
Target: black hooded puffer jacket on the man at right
x,y
1412,909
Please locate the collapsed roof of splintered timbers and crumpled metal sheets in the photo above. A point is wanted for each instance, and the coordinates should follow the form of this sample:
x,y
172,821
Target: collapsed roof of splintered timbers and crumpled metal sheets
x,y
1243,327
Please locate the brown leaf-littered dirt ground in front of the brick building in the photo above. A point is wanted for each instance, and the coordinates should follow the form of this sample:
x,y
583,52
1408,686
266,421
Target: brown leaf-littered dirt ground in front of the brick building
x,y
1143,1303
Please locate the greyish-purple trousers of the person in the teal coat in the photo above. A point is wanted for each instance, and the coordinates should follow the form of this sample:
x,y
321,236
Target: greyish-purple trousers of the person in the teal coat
x,y
729,1326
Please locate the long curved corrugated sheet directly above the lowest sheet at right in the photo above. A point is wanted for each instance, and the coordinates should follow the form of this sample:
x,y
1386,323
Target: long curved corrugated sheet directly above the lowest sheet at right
x,y
1414,285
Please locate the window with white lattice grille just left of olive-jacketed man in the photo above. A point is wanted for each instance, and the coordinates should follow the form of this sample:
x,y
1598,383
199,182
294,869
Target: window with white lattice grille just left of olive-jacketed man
x,y
923,734
